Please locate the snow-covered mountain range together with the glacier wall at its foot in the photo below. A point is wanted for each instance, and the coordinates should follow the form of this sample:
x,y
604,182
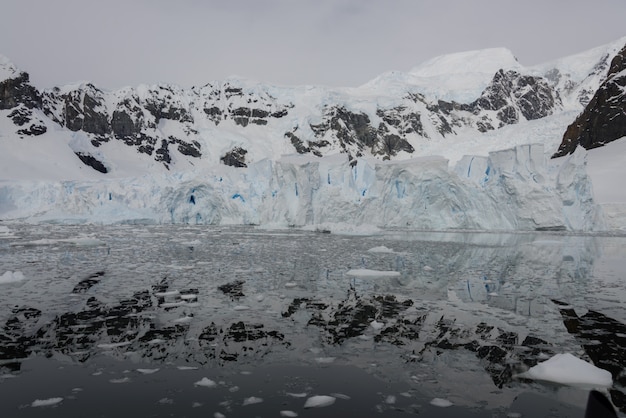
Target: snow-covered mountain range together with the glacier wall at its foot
x,y
227,152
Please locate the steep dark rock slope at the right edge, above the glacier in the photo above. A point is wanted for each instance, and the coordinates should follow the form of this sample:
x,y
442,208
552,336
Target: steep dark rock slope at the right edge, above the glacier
x,y
604,118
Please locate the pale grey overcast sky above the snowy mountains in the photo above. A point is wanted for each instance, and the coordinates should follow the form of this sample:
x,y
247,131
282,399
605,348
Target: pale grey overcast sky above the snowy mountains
x,y
115,43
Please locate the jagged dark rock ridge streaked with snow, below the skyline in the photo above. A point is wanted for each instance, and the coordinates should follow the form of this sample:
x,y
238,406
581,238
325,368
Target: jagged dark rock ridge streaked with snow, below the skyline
x,y
236,122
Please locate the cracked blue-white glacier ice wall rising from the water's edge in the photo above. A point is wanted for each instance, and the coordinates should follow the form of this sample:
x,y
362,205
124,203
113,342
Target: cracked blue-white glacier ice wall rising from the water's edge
x,y
514,189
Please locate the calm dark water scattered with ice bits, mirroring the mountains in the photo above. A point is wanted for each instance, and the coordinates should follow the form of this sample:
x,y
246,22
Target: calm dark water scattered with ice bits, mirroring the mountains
x,y
135,320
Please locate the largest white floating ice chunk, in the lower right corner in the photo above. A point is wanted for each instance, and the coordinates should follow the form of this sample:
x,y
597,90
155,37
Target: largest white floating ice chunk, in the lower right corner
x,y
568,369
